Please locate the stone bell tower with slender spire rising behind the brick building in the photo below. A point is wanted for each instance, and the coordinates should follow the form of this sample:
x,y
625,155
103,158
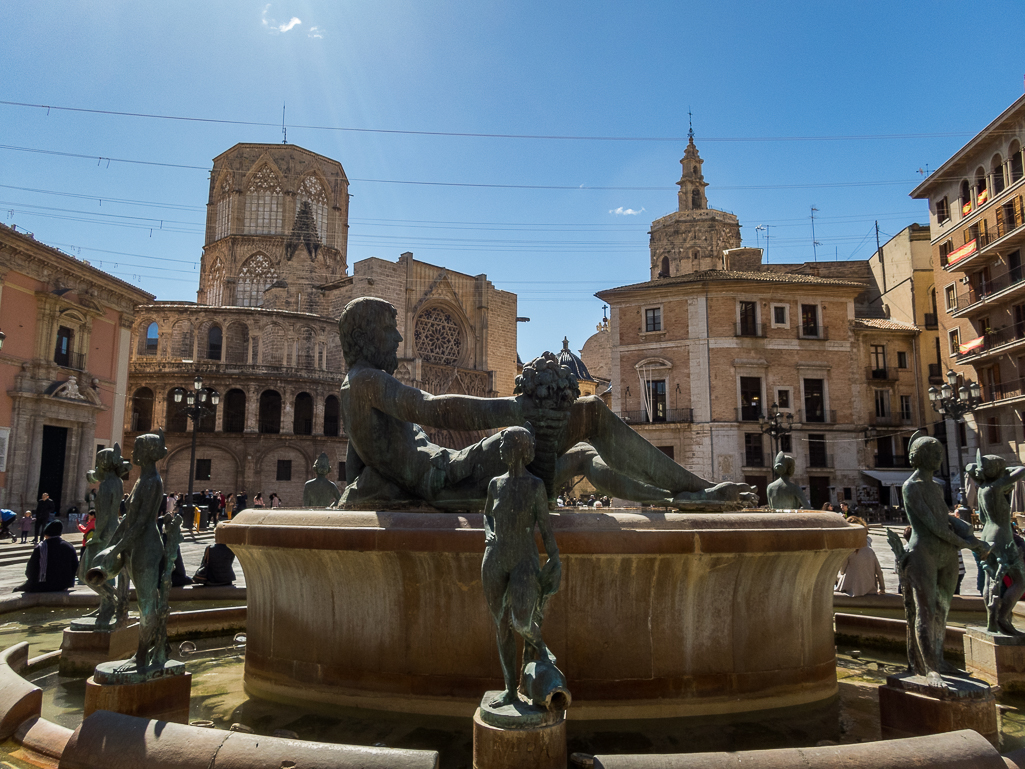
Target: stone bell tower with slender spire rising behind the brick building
x,y
693,238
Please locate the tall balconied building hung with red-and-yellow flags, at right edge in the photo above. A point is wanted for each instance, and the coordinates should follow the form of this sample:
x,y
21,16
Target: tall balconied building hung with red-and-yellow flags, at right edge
x,y
976,204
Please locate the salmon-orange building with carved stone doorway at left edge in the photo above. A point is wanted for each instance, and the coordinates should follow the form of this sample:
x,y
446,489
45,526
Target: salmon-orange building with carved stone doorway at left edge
x,y
64,370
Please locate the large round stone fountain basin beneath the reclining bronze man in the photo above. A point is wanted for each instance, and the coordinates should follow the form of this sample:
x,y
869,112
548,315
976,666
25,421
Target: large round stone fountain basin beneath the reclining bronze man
x,y
660,616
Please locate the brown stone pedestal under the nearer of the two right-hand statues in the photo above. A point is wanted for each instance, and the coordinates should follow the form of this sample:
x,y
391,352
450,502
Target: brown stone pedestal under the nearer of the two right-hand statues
x,y
910,707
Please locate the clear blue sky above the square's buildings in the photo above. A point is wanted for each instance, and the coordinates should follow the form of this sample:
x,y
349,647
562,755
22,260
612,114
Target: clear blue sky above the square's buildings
x,y
906,85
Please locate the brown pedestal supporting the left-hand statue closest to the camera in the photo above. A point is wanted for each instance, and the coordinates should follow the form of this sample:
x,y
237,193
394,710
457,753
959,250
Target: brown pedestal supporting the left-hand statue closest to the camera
x,y
160,695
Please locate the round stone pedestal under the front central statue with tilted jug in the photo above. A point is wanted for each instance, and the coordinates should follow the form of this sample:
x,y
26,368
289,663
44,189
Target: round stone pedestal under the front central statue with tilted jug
x,y
518,737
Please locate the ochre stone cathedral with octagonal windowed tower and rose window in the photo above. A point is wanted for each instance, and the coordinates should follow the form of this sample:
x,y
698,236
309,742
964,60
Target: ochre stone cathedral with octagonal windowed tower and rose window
x,y
264,334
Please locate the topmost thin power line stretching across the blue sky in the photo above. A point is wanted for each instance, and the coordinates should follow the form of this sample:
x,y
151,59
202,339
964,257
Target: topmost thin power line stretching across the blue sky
x,y
468,135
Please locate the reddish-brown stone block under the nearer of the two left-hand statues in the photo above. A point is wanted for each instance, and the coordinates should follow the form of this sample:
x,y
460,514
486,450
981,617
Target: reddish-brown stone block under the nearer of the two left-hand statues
x,y
165,699
